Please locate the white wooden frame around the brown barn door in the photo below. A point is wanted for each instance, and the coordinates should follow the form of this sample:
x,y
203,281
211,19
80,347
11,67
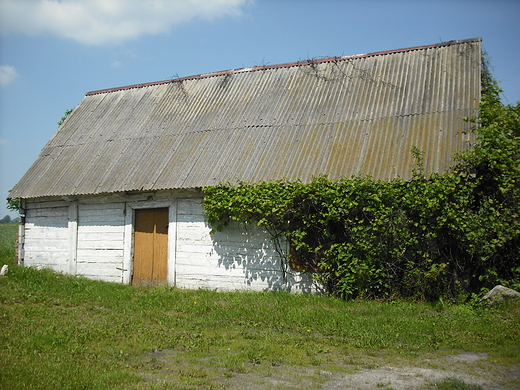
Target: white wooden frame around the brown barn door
x,y
128,246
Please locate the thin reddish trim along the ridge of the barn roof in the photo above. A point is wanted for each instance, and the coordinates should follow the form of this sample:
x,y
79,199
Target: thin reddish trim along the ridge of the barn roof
x,y
286,65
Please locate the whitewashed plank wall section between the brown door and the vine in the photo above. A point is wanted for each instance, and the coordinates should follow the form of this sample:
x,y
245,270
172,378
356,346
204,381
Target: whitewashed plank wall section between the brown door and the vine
x,y
238,258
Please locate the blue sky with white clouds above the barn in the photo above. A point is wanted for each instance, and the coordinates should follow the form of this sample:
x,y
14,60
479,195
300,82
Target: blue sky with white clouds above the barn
x,y
52,52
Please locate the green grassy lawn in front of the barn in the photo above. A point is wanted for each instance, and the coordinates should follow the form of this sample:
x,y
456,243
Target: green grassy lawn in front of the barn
x,y
62,332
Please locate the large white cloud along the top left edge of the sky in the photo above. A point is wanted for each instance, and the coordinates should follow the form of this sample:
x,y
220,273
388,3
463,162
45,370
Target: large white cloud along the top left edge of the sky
x,y
99,22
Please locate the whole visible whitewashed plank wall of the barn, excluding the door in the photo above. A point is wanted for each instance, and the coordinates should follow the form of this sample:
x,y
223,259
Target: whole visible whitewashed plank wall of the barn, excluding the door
x,y
91,236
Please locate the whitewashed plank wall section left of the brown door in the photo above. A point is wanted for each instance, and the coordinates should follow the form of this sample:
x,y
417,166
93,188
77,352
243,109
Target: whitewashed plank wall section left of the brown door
x,y
95,246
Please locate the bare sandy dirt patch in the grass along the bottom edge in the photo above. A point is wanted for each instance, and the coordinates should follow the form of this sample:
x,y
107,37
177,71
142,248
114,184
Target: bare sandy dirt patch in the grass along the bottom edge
x,y
371,373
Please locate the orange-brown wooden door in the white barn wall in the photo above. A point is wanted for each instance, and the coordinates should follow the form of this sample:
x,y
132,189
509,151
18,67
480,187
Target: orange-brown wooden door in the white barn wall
x,y
151,246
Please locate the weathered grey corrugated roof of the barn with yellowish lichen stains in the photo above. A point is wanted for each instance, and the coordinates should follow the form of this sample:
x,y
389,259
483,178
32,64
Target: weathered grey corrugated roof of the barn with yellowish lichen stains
x,y
341,116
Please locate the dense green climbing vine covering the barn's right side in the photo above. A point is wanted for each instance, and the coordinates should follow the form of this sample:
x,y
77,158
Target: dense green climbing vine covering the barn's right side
x,y
442,236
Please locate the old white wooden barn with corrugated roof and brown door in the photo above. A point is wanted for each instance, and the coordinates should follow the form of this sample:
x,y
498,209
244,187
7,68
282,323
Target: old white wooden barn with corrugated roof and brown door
x,y
116,193
